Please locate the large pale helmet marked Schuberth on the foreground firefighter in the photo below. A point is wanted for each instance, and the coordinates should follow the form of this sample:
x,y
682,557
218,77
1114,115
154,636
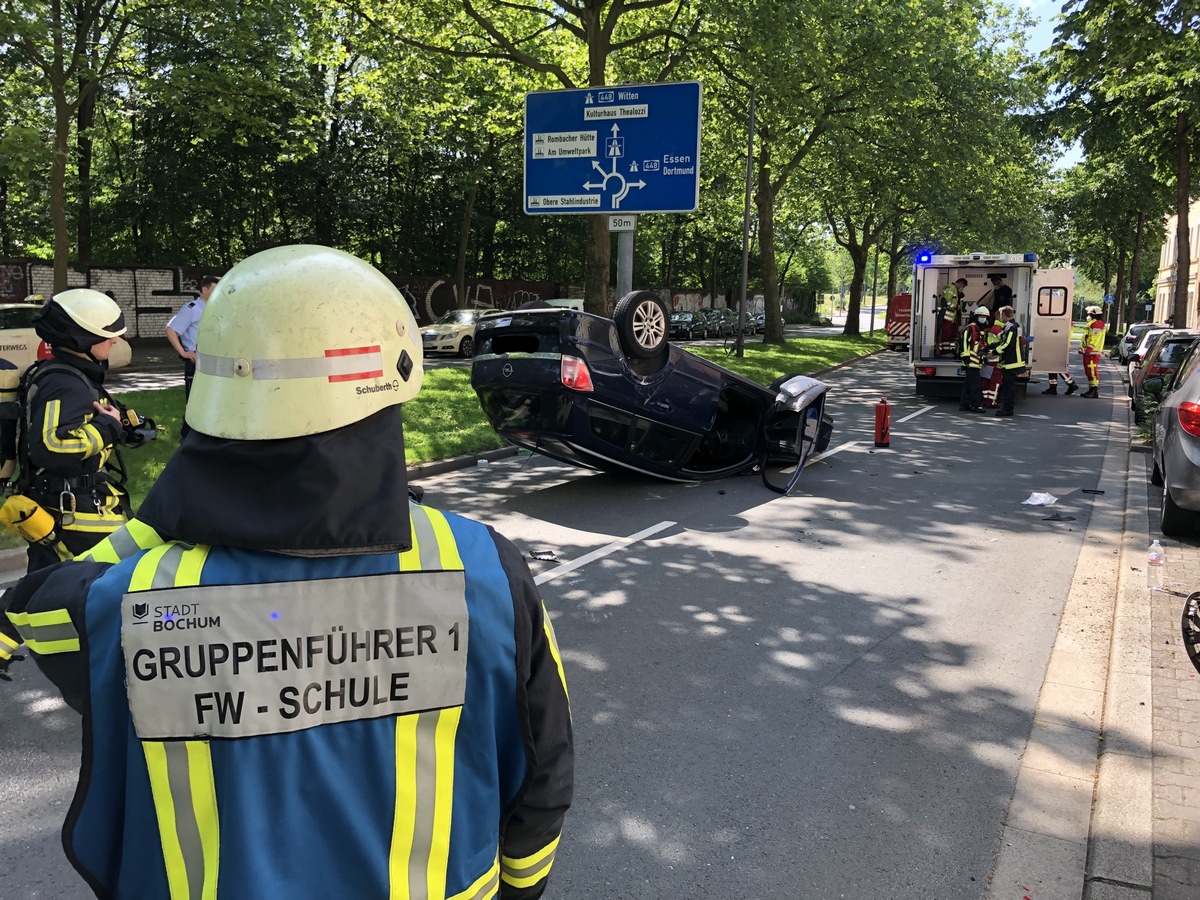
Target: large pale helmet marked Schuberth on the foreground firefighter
x,y
302,340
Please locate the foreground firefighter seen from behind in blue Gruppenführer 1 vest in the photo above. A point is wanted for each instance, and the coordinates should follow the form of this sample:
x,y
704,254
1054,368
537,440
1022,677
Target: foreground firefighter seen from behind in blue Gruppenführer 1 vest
x,y
296,681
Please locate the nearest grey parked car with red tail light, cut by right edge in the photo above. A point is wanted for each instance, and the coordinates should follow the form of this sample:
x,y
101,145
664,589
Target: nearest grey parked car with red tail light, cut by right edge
x,y
1175,445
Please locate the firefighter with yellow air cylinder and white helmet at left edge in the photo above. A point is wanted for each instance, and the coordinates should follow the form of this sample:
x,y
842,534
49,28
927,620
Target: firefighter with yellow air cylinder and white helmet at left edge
x,y
63,431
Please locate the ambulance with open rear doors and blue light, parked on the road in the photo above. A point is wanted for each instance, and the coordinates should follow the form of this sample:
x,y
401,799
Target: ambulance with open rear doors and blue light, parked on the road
x,y
1042,299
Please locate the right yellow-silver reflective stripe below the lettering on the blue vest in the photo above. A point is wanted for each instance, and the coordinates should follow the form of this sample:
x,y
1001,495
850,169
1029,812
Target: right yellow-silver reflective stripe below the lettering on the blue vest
x,y
421,835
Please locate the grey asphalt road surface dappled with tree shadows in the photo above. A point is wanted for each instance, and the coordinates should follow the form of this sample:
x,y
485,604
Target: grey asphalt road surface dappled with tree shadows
x,y
824,697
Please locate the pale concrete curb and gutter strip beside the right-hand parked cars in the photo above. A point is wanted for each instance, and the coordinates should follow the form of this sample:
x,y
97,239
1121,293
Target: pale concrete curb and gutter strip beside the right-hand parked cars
x,y
1055,844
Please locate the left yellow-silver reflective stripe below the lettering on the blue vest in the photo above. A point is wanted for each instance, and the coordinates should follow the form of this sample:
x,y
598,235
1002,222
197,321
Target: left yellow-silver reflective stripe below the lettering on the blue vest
x,y
187,805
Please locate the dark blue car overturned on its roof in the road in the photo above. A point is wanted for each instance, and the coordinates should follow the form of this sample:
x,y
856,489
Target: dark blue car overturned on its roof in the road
x,y
616,395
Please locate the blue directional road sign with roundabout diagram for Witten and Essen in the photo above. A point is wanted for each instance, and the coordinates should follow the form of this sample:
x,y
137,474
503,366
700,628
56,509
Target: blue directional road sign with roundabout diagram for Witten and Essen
x,y
622,149
